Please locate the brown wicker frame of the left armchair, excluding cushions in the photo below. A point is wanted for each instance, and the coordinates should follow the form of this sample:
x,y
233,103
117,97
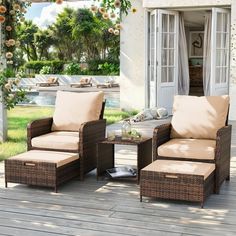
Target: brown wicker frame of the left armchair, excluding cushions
x,y
89,134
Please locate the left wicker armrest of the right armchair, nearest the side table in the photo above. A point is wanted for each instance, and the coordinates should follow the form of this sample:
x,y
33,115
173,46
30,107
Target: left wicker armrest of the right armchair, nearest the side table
x,y
161,134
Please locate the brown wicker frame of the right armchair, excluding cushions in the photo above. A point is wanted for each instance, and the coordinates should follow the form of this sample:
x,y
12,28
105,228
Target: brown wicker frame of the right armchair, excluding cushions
x,y
162,134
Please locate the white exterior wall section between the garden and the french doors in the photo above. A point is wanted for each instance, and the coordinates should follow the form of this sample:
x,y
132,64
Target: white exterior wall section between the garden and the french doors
x,y
132,59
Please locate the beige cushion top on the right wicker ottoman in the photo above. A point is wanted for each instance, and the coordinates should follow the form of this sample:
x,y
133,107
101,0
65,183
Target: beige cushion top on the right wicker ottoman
x,y
181,167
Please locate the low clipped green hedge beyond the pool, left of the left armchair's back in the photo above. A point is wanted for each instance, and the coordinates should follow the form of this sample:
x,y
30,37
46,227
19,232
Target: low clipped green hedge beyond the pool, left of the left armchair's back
x,y
55,66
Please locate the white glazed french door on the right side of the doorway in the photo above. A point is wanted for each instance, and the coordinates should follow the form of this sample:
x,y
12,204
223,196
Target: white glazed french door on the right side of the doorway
x,y
220,51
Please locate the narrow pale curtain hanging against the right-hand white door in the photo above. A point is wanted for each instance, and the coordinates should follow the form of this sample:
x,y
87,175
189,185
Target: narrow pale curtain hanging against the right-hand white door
x,y
207,55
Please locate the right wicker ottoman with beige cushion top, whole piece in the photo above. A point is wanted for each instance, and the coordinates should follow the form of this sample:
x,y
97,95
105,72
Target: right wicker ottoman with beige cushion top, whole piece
x,y
177,180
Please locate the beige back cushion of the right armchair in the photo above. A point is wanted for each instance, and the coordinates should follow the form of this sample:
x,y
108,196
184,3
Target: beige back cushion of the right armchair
x,y
198,117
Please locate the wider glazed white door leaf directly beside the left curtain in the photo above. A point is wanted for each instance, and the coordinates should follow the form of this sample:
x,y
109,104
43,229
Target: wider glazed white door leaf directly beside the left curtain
x,y
167,67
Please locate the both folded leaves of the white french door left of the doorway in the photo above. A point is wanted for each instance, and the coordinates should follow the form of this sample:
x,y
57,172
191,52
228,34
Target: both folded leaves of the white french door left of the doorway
x,y
163,58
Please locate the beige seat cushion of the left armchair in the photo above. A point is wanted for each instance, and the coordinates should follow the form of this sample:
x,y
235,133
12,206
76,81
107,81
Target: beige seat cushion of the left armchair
x,y
57,140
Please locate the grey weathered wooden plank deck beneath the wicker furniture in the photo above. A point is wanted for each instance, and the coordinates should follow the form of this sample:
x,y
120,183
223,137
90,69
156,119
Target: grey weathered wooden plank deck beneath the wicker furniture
x,y
110,208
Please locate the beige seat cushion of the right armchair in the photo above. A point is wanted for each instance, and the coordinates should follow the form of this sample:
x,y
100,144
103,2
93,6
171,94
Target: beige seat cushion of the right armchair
x,y
188,148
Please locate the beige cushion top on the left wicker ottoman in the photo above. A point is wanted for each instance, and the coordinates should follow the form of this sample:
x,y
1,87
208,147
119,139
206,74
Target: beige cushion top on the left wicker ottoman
x,y
59,158
